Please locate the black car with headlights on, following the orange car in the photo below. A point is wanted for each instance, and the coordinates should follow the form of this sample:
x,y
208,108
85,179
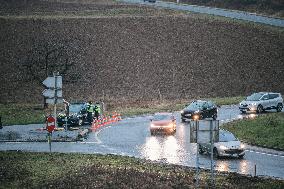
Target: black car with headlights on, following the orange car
x,y
199,109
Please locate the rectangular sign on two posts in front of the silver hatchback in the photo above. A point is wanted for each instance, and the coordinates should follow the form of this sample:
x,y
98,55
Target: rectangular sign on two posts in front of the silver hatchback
x,y
202,132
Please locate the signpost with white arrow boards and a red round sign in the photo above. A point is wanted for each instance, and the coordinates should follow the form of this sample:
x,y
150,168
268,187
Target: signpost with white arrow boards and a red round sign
x,y
53,94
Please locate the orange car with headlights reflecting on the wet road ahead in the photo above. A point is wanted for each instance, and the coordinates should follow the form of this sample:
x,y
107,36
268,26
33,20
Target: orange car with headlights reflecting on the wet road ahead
x,y
163,122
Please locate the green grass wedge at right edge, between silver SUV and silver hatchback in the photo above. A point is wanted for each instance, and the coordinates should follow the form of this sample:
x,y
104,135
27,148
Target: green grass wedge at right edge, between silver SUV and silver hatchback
x,y
266,130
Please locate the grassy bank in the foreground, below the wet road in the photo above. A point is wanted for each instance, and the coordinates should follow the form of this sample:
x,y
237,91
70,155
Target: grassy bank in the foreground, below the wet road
x,y
57,170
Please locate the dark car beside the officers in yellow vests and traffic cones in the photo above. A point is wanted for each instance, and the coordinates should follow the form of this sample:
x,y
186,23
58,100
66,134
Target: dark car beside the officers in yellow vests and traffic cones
x,y
77,115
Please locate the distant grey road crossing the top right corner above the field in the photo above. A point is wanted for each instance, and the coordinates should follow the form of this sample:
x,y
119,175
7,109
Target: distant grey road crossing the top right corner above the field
x,y
214,11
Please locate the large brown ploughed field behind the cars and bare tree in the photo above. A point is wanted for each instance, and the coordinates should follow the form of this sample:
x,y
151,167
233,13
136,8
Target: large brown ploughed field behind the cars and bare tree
x,y
144,57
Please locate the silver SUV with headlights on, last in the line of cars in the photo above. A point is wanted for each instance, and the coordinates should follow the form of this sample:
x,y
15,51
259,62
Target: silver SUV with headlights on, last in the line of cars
x,y
259,102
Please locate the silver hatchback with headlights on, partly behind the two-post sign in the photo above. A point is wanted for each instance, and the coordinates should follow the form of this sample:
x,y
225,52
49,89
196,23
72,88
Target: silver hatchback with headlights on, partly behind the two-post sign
x,y
228,145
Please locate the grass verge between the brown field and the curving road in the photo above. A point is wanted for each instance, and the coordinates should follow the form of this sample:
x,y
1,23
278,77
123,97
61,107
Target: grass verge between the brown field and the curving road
x,y
21,114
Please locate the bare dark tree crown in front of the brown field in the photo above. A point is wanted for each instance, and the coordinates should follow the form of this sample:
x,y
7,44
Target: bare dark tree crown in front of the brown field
x,y
44,58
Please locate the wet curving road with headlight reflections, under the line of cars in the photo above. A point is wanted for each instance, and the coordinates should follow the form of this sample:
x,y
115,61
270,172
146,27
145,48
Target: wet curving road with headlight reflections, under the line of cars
x,y
131,137
